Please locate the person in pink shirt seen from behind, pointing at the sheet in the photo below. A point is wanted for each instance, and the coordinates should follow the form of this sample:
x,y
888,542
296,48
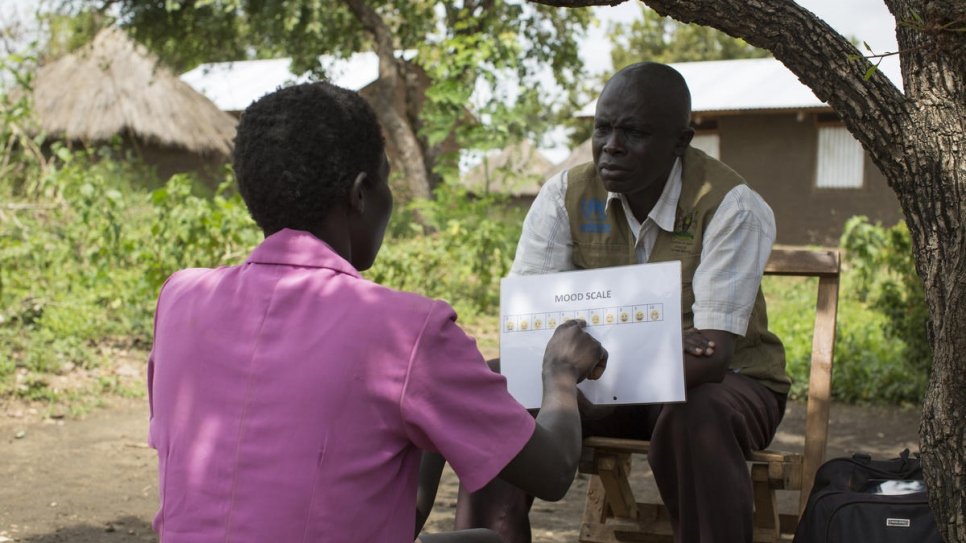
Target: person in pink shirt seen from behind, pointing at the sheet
x,y
291,399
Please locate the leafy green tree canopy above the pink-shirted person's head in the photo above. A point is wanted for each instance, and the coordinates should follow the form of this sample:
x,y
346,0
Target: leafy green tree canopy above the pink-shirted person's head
x,y
506,47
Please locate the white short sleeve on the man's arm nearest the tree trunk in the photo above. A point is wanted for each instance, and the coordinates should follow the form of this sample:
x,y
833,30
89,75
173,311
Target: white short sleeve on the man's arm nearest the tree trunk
x,y
735,249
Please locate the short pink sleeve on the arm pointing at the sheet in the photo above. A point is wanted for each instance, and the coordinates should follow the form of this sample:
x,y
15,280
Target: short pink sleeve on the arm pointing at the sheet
x,y
452,403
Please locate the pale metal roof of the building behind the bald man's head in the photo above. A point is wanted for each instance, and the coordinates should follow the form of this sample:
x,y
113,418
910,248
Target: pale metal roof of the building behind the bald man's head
x,y
746,84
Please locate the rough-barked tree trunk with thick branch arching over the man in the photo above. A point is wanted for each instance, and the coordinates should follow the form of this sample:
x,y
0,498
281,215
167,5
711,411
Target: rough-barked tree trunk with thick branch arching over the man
x,y
916,138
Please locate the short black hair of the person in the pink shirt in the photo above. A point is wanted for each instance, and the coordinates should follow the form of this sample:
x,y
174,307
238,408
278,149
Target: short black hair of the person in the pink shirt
x,y
298,149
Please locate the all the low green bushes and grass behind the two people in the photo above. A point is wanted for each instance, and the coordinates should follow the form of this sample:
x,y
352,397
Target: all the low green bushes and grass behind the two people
x,y
83,256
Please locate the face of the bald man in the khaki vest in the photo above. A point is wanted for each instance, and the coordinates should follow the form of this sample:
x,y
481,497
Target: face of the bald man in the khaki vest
x,y
637,136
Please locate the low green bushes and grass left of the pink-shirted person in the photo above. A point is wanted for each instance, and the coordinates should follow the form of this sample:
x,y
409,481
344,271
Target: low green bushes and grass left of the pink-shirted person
x,y
81,261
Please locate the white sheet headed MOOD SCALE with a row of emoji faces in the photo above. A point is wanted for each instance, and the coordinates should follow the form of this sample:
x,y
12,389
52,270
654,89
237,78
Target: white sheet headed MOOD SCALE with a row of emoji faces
x,y
634,311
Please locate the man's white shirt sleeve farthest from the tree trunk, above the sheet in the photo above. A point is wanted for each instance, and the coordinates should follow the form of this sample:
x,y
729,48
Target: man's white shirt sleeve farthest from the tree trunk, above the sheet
x,y
545,243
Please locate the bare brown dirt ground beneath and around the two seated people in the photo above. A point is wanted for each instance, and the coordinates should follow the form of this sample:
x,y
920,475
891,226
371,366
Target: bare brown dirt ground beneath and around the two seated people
x,y
93,479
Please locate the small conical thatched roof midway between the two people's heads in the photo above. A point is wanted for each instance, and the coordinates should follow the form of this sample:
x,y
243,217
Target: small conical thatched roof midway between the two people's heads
x,y
518,170
